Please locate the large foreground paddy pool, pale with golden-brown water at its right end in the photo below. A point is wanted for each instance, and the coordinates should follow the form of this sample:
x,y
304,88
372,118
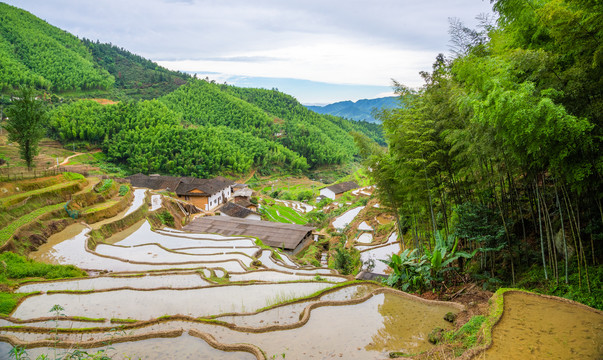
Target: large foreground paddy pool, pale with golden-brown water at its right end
x,y
369,330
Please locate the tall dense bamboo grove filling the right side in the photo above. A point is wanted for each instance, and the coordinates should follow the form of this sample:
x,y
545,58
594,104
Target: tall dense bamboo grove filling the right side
x,y
499,152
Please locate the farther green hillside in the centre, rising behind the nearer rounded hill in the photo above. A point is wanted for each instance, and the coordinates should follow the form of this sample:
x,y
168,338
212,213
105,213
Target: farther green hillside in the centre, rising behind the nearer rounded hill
x,y
271,115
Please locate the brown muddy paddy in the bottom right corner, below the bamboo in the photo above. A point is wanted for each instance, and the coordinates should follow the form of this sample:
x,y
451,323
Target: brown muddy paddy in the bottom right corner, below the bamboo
x,y
533,327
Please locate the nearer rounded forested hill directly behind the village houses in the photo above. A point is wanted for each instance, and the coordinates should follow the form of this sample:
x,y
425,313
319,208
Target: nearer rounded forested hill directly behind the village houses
x,y
148,137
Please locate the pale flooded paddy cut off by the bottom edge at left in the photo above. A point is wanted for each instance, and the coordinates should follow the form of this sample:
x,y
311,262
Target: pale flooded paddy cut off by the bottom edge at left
x,y
183,347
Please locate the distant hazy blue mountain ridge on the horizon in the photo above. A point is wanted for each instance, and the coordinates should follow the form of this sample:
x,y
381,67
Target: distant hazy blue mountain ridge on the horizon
x,y
361,110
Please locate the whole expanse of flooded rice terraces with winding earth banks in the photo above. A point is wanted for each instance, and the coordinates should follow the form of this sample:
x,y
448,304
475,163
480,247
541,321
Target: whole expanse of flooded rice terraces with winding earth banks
x,y
157,294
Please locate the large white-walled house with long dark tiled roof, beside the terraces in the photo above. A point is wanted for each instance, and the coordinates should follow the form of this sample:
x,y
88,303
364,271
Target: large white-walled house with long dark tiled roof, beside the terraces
x,y
205,194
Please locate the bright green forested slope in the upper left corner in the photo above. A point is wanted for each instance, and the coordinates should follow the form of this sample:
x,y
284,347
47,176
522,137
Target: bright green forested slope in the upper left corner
x,y
32,52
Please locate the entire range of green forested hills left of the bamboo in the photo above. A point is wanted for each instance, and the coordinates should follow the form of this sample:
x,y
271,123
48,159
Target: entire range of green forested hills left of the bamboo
x,y
186,127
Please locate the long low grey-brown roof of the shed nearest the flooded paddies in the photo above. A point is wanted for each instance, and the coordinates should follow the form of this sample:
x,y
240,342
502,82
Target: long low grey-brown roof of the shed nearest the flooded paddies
x,y
274,234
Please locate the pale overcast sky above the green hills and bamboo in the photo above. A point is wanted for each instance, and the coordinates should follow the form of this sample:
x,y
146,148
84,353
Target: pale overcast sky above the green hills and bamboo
x,y
320,51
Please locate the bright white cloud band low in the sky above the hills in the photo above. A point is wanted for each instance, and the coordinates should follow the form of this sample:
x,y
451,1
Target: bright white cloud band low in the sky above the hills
x,y
326,59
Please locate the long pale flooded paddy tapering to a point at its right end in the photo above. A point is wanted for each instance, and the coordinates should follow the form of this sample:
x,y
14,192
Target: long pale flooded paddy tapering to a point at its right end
x,y
144,305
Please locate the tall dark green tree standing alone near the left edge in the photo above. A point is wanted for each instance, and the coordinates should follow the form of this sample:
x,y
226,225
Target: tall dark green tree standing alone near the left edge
x,y
25,124
